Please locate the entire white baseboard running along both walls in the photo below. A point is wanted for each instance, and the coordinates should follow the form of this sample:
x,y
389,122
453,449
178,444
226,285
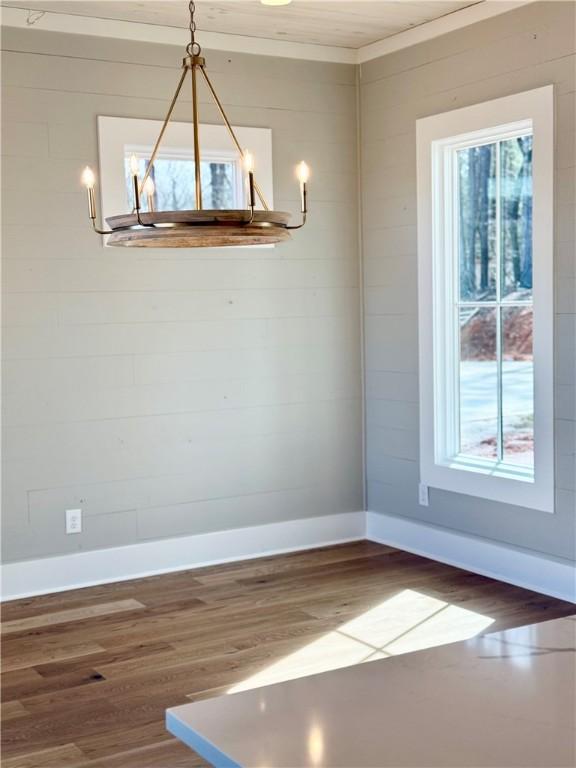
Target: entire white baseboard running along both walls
x,y
103,566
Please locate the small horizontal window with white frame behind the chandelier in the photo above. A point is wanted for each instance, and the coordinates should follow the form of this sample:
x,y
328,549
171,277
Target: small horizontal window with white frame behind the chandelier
x,y
223,184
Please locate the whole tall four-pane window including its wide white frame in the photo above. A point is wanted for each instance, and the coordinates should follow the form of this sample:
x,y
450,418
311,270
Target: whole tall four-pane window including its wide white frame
x,y
485,285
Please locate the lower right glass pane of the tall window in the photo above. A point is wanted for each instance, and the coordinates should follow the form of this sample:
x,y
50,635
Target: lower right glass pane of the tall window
x,y
517,386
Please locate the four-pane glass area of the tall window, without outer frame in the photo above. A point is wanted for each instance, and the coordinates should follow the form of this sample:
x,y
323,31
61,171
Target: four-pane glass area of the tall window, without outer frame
x,y
493,303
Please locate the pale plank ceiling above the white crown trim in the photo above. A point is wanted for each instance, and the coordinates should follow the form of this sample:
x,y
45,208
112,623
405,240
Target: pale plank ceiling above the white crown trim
x,y
345,23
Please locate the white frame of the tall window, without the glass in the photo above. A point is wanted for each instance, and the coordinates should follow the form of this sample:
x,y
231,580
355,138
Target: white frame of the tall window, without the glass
x,y
437,139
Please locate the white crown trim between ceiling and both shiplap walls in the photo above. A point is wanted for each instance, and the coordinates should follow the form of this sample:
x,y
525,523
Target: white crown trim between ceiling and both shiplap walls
x,y
152,33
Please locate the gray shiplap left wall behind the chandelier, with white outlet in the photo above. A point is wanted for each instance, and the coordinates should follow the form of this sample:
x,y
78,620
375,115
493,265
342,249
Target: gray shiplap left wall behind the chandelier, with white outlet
x,y
172,393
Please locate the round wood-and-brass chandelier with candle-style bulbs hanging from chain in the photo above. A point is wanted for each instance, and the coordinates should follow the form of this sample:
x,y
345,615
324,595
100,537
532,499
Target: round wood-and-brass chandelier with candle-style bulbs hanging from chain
x,y
200,227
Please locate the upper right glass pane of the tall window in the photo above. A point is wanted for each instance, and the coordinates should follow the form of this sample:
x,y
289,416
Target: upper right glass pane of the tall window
x,y
516,217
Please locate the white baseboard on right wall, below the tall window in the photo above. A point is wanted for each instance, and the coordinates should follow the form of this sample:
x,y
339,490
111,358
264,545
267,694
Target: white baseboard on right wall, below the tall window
x,y
520,567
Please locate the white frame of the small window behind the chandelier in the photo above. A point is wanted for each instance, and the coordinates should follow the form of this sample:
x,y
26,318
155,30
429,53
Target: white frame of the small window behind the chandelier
x,y
117,135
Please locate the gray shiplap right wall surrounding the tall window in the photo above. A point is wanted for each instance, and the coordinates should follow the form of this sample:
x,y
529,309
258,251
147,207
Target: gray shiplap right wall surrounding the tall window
x,y
529,47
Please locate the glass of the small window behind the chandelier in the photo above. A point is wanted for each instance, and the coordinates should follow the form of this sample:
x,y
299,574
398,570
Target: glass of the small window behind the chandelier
x,y
175,184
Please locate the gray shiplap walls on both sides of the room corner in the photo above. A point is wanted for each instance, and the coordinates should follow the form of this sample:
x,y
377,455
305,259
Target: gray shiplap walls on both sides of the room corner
x,y
170,393
